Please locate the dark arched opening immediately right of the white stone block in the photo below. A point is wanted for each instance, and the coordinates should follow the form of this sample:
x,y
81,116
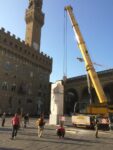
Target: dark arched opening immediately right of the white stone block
x,y
70,99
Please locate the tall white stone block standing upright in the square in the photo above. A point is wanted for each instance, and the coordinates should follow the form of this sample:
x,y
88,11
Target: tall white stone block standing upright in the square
x,y
57,98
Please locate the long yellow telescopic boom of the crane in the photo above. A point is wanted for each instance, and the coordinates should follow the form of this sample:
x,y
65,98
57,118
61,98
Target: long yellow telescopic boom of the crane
x,y
88,63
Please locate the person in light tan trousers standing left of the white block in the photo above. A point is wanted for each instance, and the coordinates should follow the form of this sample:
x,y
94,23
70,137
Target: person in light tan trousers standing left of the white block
x,y
41,123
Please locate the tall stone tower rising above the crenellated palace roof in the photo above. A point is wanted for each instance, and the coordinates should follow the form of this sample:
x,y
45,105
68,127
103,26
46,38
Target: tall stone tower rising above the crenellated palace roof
x,y
34,22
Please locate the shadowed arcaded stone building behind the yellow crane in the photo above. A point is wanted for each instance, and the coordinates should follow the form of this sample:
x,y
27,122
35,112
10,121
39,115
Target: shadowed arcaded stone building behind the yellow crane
x,y
76,90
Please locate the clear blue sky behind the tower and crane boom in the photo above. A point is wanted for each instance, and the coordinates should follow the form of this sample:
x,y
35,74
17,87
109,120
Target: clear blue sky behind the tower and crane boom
x,y
95,19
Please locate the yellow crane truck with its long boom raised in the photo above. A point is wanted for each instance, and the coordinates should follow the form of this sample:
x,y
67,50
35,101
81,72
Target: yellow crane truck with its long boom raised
x,y
92,109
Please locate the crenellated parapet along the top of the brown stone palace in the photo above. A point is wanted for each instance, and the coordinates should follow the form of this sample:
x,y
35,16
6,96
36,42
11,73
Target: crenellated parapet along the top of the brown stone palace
x,y
16,44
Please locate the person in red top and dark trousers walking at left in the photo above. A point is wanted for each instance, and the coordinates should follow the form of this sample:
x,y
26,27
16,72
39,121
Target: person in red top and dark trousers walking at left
x,y
15,125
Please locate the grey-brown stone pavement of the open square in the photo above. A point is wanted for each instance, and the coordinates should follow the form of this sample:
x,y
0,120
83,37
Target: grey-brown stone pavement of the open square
x,y
75,139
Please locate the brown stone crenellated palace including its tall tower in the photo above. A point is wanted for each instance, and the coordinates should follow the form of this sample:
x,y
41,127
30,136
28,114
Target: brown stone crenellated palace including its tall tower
x,y
24,70
